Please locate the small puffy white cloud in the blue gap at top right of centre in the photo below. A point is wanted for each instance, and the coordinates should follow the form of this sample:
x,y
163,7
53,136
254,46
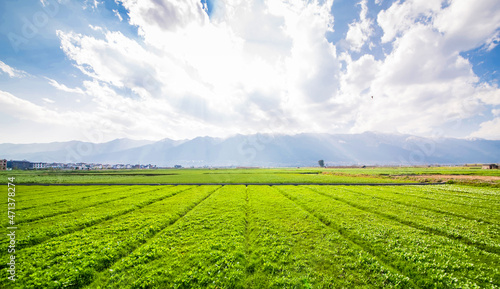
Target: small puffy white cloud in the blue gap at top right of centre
x,y
360,31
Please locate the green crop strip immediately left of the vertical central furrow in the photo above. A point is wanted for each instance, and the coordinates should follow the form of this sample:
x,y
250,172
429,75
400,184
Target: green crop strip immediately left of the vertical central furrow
x,y
204,249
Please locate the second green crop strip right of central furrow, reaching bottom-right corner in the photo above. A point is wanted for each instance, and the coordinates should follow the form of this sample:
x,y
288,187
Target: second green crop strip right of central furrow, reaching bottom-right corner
x,y
429,260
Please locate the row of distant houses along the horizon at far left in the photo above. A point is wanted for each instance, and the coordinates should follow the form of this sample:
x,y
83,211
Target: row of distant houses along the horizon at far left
x,y
27,165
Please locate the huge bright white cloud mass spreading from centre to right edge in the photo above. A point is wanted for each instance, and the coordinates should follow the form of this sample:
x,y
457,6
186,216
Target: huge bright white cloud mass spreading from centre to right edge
x,y
266,66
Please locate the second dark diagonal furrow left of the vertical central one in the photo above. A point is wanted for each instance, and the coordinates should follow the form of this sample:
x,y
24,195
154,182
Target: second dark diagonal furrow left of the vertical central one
x,y
95,222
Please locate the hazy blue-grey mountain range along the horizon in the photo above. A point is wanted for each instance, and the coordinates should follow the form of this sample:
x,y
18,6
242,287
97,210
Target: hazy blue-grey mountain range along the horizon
x,y
266,150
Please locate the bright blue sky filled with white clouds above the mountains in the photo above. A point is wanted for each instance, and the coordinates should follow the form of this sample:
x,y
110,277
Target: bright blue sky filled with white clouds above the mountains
x,y
153,69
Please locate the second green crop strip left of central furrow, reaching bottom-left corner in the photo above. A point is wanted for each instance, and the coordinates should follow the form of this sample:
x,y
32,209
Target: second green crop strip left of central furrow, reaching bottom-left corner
x,y
73,260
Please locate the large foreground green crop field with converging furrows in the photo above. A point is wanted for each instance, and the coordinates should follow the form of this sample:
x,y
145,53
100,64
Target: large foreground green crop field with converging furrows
x,y
255,236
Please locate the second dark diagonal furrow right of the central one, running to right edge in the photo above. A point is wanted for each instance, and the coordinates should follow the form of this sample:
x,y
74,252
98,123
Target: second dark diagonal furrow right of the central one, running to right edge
x,y
434,231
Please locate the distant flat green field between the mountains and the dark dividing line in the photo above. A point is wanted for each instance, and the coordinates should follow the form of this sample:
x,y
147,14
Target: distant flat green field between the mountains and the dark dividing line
x,y
235,176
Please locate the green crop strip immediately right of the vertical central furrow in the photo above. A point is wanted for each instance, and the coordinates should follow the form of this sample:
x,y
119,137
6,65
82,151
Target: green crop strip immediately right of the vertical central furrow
x,y
289,248
